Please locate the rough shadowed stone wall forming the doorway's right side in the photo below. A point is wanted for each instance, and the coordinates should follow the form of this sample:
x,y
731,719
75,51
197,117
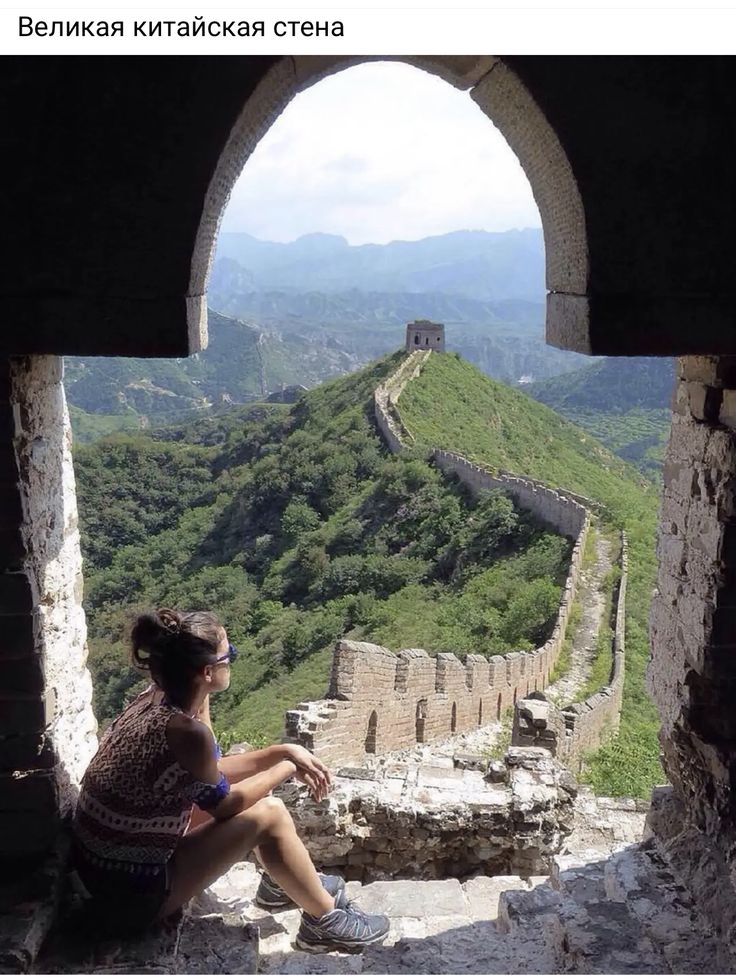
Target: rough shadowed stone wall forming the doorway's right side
x,y
692,673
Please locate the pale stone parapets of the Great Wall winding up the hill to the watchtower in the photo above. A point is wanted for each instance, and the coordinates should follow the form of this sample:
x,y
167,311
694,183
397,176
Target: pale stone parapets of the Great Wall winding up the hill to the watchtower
x,y
379,701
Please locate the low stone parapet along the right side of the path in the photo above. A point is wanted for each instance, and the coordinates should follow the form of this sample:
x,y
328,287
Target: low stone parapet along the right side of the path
x,y
576,729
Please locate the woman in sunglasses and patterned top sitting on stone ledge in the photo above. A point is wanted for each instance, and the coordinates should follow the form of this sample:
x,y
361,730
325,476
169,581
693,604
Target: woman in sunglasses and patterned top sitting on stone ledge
x,y
140,851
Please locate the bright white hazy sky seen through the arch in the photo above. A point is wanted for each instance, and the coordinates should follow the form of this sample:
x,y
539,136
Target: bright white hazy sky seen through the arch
x,y
378,152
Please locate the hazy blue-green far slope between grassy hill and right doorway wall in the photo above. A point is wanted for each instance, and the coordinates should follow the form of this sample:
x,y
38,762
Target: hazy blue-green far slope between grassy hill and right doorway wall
x,y
621,401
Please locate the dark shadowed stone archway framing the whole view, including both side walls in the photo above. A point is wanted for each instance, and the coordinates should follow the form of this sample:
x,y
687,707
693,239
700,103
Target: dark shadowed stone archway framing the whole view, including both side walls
x,y
627,273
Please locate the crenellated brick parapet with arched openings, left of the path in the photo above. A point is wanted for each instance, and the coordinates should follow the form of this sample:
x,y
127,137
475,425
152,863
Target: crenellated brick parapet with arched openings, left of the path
x,y
379,701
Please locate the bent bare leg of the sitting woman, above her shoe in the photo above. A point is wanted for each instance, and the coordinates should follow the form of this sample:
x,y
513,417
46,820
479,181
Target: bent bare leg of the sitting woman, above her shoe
x,y
207,851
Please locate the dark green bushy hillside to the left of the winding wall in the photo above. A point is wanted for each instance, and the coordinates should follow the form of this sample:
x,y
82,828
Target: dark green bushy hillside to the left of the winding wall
x,y
298,528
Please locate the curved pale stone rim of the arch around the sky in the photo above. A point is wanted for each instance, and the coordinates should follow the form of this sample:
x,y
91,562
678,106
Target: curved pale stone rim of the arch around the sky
x,y
501,96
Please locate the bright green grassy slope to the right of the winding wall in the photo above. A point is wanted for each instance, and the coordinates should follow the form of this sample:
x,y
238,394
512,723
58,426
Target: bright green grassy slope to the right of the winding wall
x,y
452,405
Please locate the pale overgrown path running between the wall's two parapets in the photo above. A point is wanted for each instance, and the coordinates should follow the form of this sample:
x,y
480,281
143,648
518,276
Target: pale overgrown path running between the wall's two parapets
x,y
592,600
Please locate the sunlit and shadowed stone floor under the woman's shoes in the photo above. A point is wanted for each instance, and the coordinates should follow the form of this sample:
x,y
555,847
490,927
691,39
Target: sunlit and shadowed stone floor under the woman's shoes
x,y
598,912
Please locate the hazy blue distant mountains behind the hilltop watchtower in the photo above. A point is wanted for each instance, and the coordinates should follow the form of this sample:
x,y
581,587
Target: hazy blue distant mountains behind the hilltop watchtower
x,y
302,312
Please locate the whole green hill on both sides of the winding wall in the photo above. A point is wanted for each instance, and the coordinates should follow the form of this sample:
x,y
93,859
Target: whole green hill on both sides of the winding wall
x,y
297,527
